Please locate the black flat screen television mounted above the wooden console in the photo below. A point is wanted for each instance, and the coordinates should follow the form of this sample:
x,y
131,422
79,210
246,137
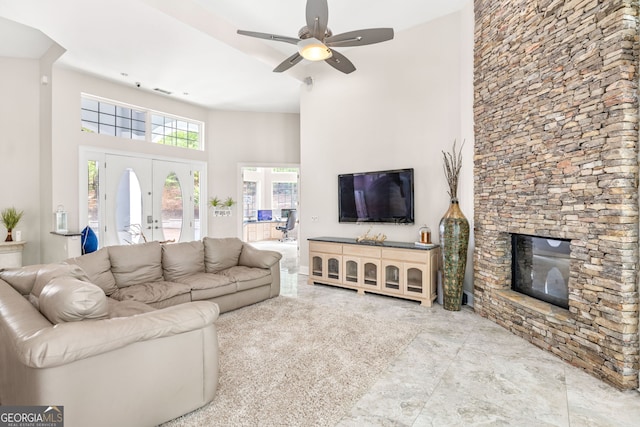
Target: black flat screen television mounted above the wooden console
x,y
380,197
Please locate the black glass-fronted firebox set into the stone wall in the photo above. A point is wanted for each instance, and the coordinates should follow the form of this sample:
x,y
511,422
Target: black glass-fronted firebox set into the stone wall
x,y
540,268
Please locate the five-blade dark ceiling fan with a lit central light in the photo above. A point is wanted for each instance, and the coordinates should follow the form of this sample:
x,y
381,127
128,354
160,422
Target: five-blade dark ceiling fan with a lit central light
x,y
316,42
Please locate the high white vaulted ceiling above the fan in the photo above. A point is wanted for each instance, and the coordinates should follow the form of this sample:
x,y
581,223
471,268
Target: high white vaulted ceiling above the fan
x,y
190,47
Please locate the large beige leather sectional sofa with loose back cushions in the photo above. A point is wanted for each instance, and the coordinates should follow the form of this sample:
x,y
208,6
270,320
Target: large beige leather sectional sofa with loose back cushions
x,y
126,335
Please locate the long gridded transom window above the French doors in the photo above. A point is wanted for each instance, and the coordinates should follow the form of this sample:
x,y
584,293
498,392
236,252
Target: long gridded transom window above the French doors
x,y
120,120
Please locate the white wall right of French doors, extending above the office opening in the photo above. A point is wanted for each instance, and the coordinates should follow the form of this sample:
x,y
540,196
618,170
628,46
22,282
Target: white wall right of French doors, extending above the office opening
x,y
243,139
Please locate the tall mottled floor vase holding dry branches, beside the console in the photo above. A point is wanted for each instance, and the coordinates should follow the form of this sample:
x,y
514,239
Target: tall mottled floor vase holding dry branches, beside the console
x,y
454,235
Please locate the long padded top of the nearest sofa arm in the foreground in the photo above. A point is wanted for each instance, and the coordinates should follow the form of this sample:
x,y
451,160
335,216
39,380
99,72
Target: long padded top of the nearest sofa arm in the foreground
x,y
68,342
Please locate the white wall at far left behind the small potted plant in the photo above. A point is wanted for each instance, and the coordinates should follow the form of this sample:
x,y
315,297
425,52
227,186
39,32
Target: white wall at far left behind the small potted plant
x,y
19,148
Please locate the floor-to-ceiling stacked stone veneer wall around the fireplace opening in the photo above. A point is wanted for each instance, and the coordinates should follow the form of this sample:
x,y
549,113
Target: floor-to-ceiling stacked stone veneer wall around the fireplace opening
x,y
556,149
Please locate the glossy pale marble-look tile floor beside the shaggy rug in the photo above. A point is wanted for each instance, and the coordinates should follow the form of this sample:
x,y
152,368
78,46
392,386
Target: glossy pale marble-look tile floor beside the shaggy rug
x,y
464,370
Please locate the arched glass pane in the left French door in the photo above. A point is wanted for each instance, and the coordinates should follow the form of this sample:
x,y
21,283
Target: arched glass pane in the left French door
x,y
129,223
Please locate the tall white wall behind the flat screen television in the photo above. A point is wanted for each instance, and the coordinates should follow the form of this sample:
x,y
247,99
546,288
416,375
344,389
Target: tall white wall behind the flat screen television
x,y
408,100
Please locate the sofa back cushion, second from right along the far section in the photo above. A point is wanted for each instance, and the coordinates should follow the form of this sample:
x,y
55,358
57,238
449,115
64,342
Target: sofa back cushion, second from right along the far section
x,y
180,260
